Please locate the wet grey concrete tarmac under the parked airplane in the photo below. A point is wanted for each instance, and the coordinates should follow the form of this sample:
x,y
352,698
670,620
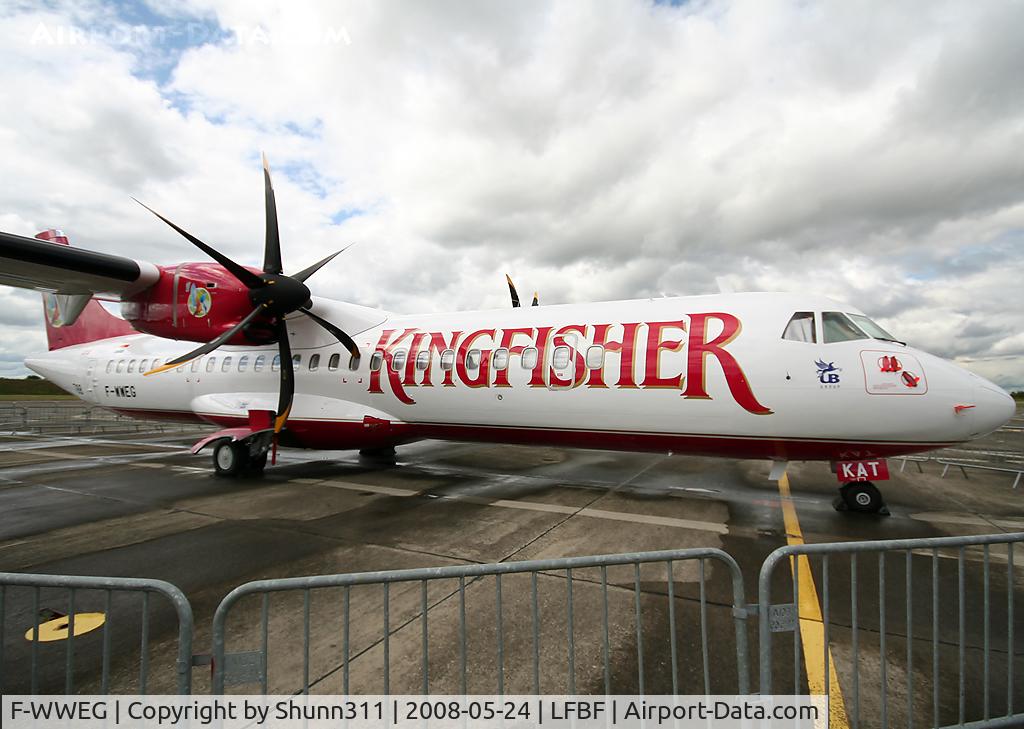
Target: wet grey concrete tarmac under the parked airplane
x,y
139,505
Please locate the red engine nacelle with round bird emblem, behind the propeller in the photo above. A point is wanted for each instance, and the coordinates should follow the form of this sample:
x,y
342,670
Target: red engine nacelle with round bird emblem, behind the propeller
x,y
197,303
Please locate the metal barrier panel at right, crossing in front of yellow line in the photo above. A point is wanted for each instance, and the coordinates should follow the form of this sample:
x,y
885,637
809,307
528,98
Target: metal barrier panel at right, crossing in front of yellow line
x,y
929,636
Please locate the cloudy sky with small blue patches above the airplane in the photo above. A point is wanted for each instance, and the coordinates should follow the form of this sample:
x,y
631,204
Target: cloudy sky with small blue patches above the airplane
x,y
873,152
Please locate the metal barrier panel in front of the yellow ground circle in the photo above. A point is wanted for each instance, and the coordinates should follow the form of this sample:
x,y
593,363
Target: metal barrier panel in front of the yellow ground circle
x,y
63,634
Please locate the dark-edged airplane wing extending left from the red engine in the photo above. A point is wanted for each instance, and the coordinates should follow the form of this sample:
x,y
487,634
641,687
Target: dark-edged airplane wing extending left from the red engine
x,y
52,266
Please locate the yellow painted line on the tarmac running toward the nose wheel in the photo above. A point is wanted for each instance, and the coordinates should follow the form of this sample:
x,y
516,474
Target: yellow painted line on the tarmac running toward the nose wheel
x,y
813,632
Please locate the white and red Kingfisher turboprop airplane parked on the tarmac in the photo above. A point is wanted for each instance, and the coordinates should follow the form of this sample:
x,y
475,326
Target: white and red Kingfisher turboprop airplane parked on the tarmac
x,y
750,376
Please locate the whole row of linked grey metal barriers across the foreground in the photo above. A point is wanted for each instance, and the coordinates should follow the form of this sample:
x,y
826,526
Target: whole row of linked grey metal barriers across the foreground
x,y
921,641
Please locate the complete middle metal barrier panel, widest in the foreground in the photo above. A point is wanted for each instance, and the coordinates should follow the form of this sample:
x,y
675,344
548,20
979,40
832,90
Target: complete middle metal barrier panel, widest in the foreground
x,y
615,624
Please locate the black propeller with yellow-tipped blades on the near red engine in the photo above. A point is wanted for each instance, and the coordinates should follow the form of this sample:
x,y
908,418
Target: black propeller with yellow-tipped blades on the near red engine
x,y
273,294
